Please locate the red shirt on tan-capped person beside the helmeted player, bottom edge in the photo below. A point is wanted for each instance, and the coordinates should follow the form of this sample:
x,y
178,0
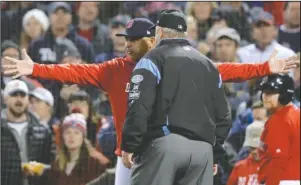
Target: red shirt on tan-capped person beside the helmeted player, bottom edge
x,y
244,172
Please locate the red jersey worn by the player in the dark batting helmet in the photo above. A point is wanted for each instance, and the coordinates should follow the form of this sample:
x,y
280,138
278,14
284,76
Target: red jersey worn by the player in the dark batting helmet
x,y
280,147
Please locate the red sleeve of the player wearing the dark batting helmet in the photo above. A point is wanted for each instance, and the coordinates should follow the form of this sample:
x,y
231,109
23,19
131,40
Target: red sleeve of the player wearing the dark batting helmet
x,y
276,153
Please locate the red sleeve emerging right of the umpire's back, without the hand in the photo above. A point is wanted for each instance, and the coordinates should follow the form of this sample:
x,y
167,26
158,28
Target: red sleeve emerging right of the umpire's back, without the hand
x,y
239,72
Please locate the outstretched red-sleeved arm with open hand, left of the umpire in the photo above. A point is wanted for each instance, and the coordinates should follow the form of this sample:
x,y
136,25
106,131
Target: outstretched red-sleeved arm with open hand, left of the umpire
x,y
98,75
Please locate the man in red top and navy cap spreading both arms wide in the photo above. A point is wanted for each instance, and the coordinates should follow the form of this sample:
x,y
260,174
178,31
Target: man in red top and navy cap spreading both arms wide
x,y
114,76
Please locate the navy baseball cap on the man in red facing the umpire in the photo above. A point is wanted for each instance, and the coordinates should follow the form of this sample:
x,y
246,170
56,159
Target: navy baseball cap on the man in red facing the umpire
x,y
139,27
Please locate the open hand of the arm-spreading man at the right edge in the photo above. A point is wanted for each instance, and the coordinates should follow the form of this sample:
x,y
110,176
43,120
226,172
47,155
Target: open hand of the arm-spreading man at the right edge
x,y
282,65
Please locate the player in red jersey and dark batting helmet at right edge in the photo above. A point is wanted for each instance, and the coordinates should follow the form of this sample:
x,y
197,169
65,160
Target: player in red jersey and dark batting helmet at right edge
x,y
280,141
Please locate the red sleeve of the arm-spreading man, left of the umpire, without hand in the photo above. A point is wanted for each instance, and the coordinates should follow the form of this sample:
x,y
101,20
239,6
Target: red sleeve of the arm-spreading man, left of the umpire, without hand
x,y
98,75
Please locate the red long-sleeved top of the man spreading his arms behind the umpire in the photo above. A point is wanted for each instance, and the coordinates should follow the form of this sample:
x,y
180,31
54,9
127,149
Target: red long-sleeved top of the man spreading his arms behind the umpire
x,y
114,76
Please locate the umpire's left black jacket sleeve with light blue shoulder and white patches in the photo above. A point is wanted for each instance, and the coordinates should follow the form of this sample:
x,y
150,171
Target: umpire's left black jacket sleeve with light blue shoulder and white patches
x,y
145,78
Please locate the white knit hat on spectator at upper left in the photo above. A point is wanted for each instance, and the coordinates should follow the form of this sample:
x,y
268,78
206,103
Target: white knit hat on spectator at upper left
x,y
39,15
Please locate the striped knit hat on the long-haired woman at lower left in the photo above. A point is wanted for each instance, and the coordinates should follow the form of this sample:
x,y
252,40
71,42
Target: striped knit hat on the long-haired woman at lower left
x,y
75,120
